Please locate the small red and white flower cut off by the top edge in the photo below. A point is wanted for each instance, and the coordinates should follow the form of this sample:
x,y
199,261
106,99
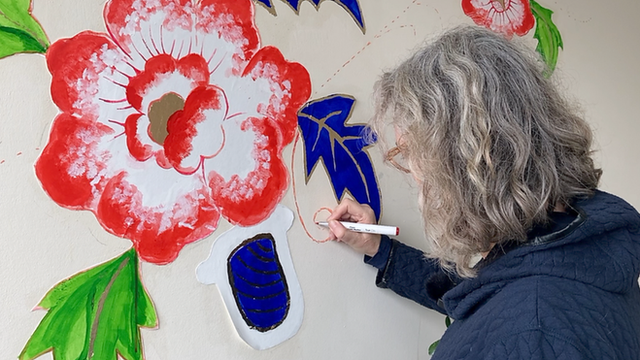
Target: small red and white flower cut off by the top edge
x,y
502,16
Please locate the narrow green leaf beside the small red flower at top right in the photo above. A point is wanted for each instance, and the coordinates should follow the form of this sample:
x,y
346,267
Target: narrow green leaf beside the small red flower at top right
x,y
548,36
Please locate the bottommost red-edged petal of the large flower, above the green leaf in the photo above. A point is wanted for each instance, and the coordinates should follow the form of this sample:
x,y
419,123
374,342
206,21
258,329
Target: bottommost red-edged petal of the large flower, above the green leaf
x,y
158,232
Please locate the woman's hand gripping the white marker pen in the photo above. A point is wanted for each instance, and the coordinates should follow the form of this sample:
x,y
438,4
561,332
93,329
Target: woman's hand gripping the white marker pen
x,y
351,211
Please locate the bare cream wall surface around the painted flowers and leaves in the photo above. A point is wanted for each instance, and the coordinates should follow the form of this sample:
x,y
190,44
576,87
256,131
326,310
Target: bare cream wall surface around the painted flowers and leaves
x,y
346,316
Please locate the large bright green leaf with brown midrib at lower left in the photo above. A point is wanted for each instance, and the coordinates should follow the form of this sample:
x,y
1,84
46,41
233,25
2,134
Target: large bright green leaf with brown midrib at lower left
x,y
95,314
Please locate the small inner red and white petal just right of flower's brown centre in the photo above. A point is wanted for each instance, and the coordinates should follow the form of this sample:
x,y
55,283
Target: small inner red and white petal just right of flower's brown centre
x,y
196,132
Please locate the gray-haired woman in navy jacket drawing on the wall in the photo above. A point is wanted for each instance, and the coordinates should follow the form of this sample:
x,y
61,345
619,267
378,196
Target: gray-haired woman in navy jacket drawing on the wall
x,y
505,174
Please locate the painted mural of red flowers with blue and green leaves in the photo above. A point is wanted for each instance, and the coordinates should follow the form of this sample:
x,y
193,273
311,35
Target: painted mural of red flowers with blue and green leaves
x,y
176,117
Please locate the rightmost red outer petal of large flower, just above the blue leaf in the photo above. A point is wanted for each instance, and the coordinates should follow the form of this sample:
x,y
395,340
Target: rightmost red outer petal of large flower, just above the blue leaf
x,y
290,88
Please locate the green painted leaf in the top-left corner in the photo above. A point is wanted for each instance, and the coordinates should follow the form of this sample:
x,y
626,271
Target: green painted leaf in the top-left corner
x,y
19,31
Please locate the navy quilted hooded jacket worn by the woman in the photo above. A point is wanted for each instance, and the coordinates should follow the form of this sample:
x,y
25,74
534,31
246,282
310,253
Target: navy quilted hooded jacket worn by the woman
x,y
569,294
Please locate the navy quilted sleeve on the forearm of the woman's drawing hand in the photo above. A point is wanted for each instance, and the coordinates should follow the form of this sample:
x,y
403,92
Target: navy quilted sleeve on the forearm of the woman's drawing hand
x,y
412,275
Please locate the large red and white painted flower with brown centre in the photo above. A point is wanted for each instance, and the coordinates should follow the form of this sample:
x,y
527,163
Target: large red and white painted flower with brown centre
x,y
173,118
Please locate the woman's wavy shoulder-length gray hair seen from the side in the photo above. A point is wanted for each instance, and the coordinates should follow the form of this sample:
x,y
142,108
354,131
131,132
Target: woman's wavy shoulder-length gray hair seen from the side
x,y
491,142
